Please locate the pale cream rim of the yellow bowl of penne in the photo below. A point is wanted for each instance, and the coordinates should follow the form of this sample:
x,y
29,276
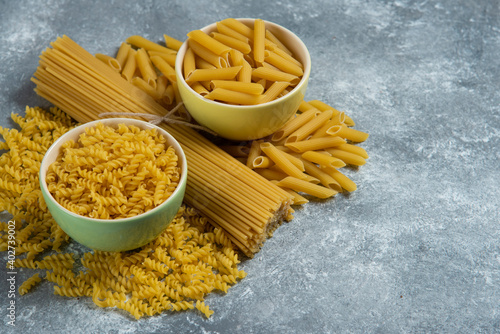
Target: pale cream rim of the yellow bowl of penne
x,y
210,27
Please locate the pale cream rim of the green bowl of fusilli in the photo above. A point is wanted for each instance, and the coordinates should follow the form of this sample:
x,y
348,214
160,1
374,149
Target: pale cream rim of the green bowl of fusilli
x,y
118,120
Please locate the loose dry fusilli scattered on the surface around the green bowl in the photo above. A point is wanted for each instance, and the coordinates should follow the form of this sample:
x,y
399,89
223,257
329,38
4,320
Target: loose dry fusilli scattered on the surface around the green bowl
x,y
174,272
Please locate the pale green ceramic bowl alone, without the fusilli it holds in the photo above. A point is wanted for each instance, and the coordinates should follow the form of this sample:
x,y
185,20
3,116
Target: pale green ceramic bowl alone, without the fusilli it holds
x,y
114,235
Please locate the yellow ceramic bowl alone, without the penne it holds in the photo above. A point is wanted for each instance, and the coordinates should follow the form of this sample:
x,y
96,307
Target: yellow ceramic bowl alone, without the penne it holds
x,y
247,122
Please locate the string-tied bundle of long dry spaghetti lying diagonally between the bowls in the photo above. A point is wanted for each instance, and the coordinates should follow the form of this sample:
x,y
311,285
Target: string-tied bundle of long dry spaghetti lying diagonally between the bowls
x,y
234,198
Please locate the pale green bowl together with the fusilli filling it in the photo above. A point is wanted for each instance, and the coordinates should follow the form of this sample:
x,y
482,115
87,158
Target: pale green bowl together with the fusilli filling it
x,y
114,184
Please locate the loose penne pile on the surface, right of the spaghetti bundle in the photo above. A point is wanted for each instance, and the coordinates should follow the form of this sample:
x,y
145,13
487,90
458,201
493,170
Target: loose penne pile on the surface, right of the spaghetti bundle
x,y
305,155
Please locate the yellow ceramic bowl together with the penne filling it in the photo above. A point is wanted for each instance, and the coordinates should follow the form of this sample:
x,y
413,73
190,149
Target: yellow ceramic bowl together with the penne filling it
x,y
242,78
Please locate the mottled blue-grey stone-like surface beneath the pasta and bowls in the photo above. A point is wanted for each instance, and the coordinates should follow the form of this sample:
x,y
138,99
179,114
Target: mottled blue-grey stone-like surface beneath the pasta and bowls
x,y
415,249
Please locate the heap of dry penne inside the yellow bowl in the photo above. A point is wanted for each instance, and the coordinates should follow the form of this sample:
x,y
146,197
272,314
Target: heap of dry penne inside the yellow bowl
x,y
240,64
